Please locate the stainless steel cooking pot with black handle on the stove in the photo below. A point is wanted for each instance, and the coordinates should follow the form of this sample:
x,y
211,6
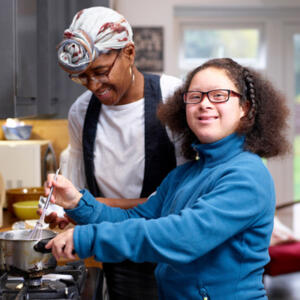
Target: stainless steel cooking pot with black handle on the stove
x,y
20,255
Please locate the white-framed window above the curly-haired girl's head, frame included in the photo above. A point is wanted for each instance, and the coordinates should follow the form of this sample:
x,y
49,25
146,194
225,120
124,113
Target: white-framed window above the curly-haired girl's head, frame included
x,y
200,43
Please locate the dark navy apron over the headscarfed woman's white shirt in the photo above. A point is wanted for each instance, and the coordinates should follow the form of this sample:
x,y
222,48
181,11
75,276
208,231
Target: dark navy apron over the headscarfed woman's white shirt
x,y
128,280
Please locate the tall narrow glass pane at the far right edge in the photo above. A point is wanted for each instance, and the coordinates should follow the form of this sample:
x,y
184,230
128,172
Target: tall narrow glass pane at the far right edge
x,y
297,118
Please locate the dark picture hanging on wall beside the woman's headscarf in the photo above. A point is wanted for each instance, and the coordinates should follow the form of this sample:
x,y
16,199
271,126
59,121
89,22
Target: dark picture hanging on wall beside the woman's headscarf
x,y
149,48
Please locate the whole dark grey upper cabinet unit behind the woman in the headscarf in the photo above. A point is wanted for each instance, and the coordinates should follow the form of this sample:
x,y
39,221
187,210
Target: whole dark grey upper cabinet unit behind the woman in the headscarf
x,y
31,82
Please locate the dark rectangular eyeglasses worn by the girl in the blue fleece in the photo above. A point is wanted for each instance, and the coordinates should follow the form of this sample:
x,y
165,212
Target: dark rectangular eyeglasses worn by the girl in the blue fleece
x,y
214,96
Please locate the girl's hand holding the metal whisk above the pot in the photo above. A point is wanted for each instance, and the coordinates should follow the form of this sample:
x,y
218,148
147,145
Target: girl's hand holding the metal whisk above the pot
x,y
64,193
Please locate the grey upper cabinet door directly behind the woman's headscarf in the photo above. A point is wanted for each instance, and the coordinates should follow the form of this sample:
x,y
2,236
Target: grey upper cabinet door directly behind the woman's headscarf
x,y
56,92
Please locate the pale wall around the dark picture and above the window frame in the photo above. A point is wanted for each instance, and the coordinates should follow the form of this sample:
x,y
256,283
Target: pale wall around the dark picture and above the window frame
x,y
161,13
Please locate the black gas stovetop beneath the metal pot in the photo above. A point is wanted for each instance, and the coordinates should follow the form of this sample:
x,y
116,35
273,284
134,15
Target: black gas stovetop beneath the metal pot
x,y
66,282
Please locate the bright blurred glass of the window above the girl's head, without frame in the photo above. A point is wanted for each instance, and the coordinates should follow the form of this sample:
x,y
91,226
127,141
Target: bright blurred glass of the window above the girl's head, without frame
x,y
219,43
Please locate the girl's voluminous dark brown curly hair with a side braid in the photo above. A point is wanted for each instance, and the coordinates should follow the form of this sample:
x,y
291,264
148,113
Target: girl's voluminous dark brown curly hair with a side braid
x,y
264,124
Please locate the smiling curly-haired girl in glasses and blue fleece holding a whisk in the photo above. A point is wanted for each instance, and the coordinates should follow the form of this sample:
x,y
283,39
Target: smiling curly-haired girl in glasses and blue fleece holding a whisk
x,y
208,225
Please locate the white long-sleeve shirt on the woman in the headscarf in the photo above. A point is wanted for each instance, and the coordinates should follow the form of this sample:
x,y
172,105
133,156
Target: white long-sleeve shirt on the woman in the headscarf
x,y
119,146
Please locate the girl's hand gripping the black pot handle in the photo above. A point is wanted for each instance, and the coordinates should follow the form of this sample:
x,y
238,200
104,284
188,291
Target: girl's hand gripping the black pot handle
x,y
62,245
